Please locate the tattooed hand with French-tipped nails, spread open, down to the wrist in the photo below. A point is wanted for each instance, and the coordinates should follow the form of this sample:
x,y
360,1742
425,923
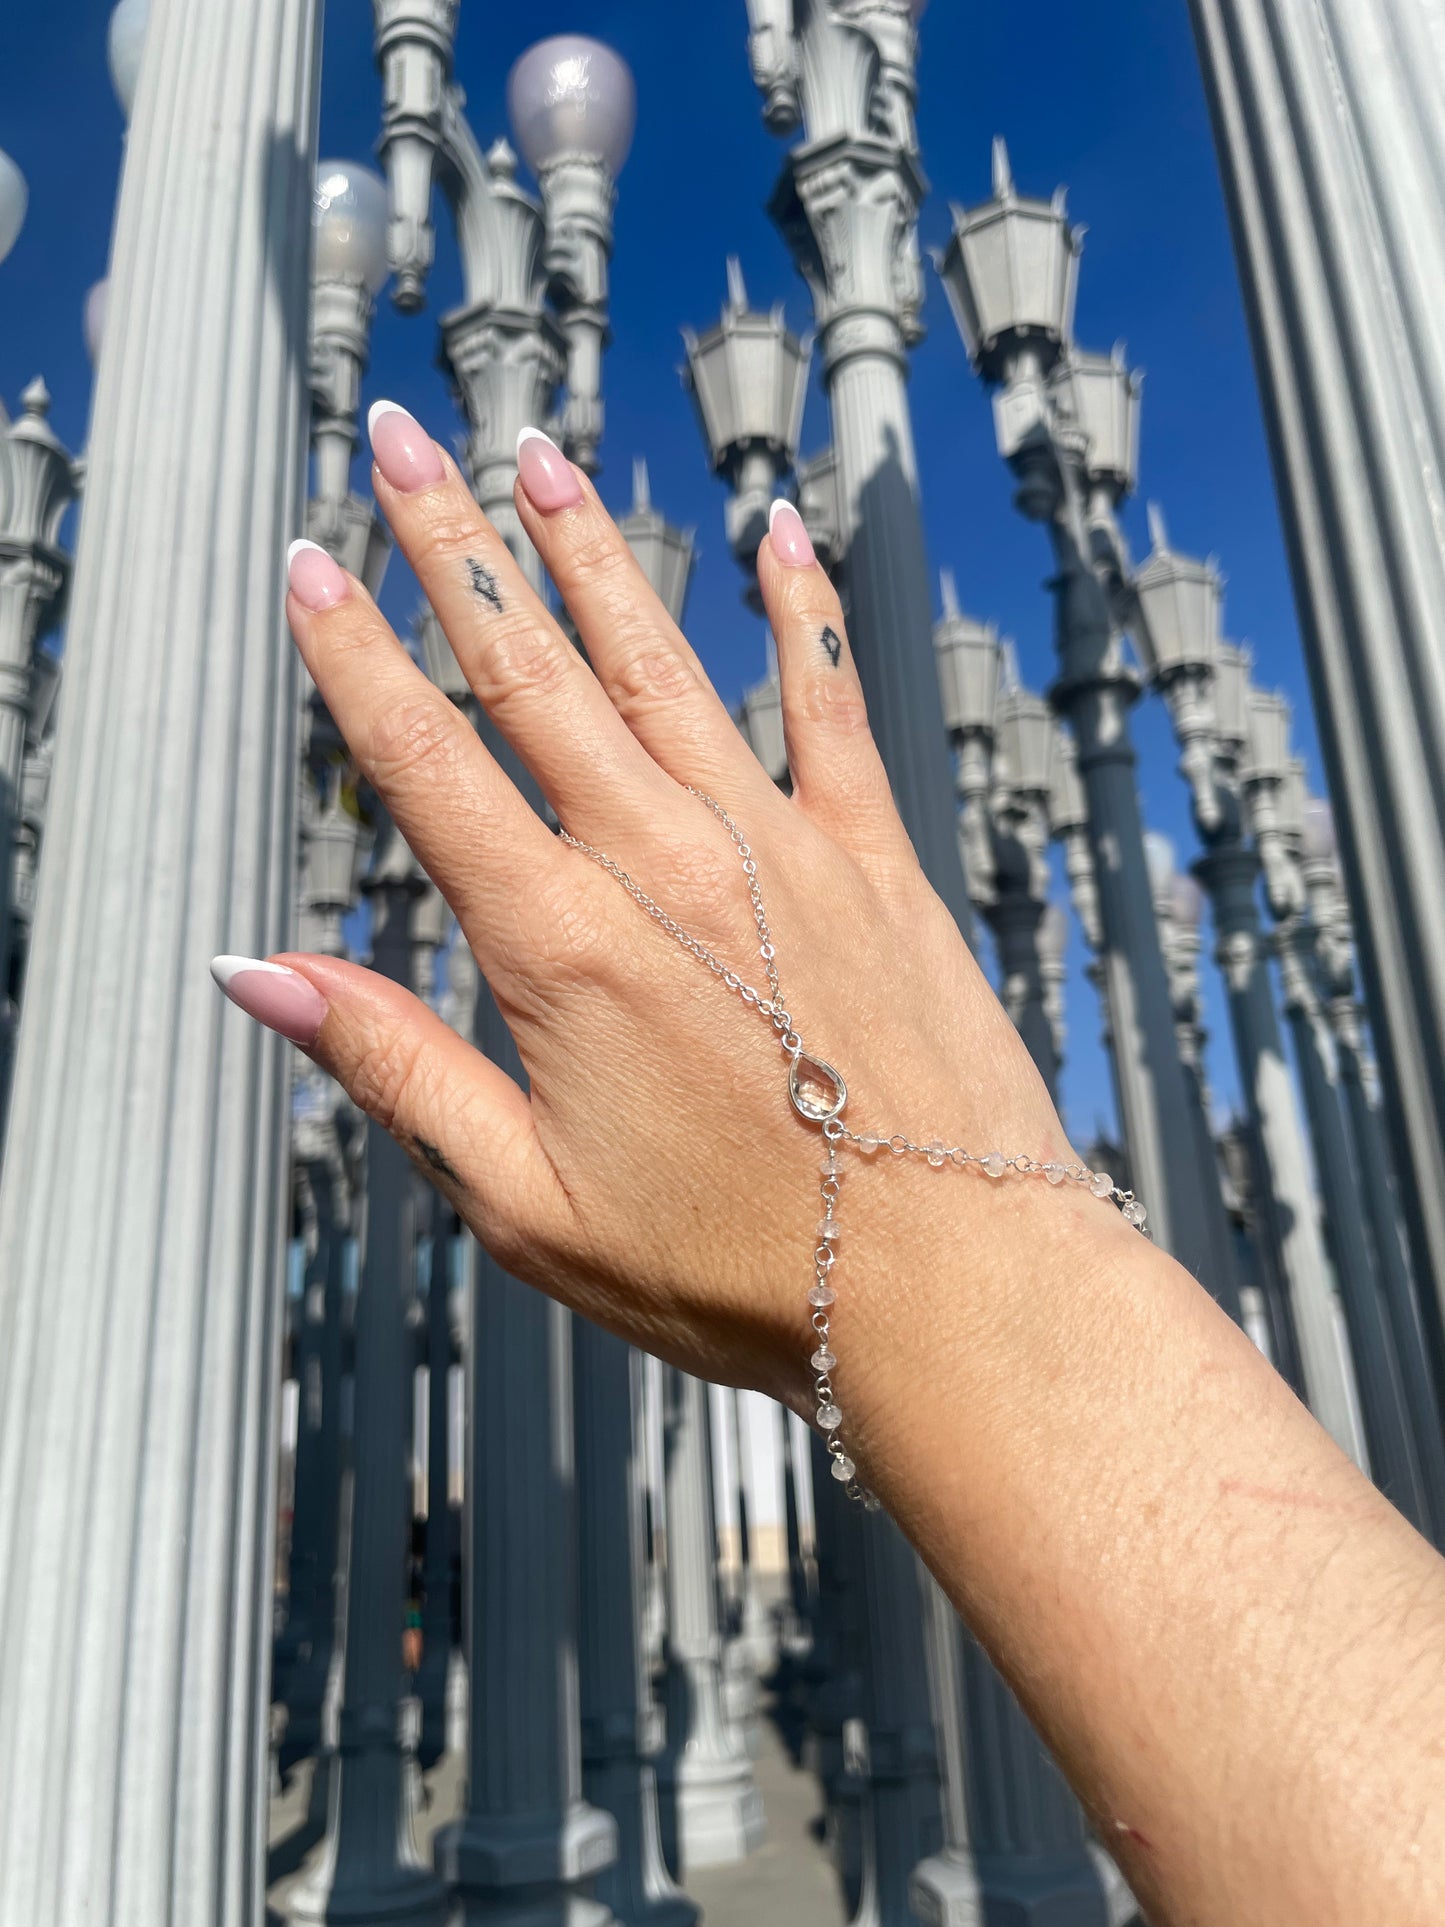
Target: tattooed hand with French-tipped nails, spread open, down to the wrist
x,y
654,1173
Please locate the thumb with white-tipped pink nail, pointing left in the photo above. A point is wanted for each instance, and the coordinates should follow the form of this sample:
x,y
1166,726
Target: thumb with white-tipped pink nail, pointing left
x,y
461,1119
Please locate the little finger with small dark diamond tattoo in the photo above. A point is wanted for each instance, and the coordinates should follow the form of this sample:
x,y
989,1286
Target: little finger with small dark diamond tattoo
x,y
837,772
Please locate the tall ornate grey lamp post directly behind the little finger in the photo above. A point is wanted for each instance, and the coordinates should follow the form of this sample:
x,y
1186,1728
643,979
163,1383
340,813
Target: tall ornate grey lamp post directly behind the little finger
x,y
847,207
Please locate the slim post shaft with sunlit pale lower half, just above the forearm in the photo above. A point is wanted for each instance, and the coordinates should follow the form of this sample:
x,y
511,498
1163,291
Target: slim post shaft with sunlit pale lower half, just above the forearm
x,y
1288,1207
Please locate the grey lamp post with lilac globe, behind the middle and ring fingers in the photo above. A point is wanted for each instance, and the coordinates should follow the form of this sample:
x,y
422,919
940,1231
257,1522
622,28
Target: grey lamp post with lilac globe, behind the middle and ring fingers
x,y
527,1839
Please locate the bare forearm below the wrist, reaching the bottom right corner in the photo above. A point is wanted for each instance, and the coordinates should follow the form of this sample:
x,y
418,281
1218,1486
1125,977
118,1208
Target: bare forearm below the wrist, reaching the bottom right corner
x,y
1184,1579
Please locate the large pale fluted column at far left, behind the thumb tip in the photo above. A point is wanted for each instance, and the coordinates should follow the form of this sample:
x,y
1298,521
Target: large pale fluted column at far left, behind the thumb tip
x,y
142,1215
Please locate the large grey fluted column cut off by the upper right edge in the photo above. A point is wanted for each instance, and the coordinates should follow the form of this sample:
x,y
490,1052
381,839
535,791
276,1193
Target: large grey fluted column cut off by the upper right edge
x,y
1330,136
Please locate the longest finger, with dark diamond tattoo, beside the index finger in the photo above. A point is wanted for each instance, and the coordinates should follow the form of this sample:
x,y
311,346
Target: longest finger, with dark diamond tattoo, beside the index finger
x,y
519,664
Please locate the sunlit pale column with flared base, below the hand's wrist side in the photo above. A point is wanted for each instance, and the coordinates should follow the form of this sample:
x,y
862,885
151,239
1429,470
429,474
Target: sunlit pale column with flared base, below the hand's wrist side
x,y
720,1816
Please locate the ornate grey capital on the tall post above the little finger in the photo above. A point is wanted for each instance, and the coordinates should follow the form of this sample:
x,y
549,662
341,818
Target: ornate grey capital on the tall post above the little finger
x,y
849,209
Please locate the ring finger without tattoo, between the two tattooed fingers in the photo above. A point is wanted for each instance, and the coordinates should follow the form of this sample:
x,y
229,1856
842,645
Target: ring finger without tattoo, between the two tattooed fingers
x,y
641,656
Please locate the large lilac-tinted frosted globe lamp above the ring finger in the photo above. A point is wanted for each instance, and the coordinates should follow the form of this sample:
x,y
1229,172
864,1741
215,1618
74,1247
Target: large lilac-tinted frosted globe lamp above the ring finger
x,y
571,95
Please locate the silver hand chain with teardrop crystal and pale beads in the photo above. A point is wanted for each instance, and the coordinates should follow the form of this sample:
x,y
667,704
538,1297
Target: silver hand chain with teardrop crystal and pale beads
x,y
826,1111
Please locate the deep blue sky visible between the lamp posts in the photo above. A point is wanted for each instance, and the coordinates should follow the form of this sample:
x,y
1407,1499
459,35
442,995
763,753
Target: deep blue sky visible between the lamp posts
x,y
1107,101
